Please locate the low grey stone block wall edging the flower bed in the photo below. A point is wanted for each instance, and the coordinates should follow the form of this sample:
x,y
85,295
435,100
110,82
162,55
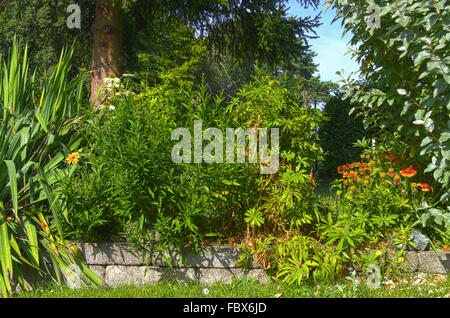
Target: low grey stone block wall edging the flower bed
x,y
117,265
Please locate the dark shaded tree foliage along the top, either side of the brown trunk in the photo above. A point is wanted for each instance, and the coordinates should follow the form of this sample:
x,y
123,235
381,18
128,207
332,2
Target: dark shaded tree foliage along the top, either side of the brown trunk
x,y
243,30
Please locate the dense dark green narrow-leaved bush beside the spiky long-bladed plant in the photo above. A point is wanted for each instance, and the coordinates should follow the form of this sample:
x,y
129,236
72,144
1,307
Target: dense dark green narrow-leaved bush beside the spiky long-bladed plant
x,y
138,191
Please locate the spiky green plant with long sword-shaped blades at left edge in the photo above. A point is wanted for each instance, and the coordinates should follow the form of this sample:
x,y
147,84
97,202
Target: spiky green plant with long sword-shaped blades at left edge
x,y
35,133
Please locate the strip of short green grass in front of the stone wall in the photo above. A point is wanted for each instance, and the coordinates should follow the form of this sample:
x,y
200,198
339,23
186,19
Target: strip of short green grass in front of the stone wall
x,y
413,286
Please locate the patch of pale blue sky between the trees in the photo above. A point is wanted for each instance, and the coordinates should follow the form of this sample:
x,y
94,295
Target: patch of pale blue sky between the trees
x,y
330,46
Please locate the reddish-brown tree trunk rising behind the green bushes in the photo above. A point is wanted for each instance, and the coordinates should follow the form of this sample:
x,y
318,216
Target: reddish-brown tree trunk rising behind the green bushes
x,y
107,49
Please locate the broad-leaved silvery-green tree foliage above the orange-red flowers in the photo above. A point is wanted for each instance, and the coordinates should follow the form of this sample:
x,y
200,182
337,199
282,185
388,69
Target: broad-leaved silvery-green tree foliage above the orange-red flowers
x,y
405,64
